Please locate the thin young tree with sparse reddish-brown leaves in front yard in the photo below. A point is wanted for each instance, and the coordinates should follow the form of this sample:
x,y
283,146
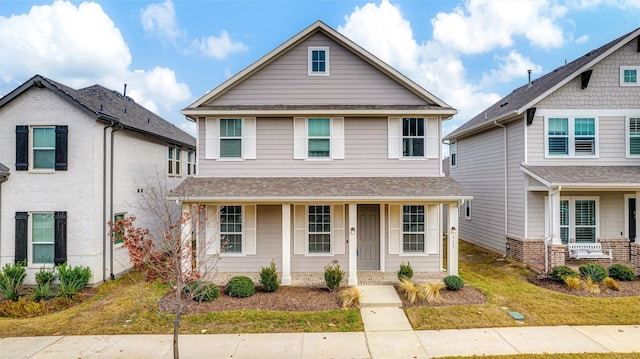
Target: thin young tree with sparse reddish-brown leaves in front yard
x,y
171,246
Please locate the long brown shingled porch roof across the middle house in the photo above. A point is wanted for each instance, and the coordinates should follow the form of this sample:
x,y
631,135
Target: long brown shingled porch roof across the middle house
x,y
301,189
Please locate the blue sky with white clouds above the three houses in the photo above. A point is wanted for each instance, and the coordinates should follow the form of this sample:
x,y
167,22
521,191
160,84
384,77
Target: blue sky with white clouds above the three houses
x,y
170,53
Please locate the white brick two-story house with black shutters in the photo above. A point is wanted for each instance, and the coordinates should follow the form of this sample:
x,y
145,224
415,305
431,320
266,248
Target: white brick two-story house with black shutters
x,y
73,160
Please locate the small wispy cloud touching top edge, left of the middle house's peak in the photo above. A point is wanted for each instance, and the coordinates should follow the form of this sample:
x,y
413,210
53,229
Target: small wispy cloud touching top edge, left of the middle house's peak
x,y
160,19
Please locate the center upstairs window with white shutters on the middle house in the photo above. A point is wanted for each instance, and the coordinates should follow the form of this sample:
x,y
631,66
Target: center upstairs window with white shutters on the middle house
x,y
318,138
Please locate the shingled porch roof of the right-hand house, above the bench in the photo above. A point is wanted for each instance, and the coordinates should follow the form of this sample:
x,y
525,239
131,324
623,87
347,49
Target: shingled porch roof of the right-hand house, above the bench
x,y
585,177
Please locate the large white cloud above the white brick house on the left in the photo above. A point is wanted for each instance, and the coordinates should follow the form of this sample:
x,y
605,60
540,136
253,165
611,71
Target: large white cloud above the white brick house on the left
x,y
81,46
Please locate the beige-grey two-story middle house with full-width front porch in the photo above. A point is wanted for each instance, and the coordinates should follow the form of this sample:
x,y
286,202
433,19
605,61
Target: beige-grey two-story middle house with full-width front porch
x,y
320,153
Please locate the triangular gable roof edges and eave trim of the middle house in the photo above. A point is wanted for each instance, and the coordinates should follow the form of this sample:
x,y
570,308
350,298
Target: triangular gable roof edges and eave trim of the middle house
x,y
435,104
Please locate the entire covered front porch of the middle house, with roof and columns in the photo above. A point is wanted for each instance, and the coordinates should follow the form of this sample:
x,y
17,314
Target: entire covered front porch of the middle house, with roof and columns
x,y
367,225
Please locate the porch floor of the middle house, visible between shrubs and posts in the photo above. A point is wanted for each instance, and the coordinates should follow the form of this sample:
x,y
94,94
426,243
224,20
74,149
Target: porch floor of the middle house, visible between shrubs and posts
x,y
316,279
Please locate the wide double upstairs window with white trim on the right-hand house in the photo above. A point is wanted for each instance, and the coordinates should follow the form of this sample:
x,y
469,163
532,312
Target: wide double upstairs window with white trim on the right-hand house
x,y
571,136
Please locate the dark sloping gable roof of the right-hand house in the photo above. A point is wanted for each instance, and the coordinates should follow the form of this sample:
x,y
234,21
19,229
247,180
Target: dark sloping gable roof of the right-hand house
x,y
526,96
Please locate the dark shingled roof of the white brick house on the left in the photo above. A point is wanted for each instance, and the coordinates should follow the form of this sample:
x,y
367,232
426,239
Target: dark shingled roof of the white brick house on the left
x,y
106,105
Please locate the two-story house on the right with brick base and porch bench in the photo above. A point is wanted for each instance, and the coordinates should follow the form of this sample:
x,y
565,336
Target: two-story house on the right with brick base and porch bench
x,y
557,161
